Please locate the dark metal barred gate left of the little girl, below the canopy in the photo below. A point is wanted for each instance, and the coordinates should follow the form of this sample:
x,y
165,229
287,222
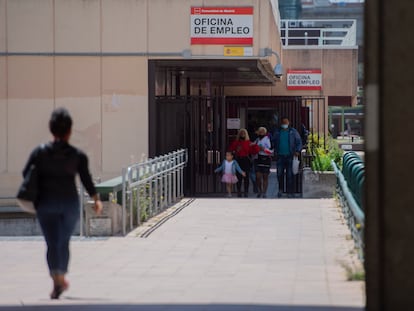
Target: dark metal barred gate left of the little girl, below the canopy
x,y
195,123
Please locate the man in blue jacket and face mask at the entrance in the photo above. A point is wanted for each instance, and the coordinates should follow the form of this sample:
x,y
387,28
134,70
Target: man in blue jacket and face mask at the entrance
x,y
288,144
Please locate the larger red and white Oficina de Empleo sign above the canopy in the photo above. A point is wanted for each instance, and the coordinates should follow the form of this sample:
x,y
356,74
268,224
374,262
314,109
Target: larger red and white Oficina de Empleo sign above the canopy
x,y
218,25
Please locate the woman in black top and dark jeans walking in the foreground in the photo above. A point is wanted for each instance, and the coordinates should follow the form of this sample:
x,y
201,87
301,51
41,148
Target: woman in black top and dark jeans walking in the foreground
x,y
57,206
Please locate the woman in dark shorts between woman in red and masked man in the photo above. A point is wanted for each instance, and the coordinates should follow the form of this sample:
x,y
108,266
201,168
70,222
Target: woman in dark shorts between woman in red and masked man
x,y
263,162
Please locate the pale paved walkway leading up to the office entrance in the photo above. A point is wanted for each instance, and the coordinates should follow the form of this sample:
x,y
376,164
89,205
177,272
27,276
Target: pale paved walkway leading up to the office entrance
x,y
216,254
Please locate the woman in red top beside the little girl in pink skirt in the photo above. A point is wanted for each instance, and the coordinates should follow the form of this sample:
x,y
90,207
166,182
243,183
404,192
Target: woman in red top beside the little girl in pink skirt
x,y
243,149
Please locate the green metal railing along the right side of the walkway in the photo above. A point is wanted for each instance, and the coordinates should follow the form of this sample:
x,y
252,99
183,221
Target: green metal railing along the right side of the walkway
x,y
350,185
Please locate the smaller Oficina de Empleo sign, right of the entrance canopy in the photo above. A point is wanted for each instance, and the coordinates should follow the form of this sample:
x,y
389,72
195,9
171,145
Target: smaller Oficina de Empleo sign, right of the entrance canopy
x,y
304,79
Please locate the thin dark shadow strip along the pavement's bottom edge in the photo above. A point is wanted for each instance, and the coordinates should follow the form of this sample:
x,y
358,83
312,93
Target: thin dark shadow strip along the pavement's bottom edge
x,y
177,307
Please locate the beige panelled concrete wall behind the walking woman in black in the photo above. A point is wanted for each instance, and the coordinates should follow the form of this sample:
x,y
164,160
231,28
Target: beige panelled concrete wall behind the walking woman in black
x,y
107,95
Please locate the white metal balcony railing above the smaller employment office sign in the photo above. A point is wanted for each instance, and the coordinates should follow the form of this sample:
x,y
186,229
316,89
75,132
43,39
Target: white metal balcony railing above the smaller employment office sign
x,y
320,33
